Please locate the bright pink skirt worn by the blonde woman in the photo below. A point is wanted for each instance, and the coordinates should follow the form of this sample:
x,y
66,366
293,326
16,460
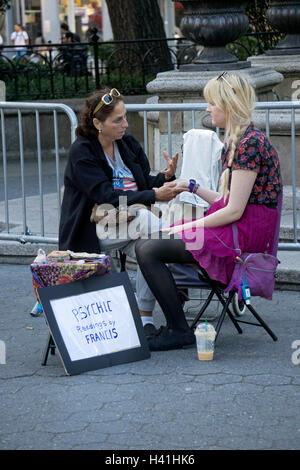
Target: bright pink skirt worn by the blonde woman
x,y
216,252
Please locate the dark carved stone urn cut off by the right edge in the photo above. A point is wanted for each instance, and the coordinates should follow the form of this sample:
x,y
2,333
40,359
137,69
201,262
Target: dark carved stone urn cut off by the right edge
x,y
284,16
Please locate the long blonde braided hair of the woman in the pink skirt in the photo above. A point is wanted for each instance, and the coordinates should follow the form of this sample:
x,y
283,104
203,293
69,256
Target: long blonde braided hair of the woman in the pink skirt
x,y
236,97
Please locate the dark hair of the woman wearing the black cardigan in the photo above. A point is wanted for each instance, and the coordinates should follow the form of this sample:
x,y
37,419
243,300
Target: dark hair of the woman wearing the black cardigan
x,y
86,127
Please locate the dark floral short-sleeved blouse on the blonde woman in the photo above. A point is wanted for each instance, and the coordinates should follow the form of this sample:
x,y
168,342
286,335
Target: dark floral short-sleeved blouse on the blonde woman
x,y
255,152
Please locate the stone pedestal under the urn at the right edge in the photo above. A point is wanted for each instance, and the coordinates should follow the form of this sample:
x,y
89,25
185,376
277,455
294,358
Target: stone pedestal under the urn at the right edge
x,y
289,67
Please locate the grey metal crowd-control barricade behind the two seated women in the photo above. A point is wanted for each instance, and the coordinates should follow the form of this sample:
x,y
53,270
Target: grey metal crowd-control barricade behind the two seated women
x,y
143,109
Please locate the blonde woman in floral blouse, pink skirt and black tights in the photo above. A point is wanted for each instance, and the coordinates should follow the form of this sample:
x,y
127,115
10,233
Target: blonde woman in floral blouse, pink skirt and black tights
x,y
250,185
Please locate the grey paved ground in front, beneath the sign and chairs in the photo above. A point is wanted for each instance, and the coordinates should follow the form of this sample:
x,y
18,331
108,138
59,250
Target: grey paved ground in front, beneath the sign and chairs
x,y
247,398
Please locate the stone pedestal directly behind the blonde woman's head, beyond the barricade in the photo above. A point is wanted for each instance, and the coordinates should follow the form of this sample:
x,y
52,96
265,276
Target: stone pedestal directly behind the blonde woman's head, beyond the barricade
x,y
187,87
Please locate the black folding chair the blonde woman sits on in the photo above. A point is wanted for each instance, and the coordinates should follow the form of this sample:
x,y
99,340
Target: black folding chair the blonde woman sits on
x,y
196,277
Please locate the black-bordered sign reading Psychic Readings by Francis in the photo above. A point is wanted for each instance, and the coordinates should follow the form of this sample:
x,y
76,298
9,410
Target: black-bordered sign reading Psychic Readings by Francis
x,y
95,322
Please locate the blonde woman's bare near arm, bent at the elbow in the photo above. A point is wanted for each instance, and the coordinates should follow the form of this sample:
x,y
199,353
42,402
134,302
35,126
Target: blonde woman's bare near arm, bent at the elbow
x,y
242,182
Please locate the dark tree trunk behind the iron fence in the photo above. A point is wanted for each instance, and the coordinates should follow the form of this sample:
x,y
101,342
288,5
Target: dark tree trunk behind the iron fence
x,y
139,19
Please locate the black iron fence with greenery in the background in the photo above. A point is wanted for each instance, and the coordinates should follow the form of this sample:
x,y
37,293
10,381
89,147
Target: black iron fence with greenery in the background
x,y
54,71
